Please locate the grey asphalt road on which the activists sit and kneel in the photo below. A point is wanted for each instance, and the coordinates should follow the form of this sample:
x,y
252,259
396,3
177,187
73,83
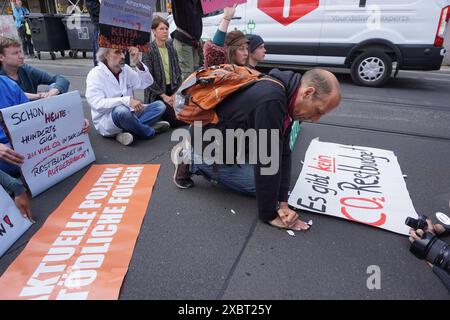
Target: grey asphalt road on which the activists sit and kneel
x,y
192,247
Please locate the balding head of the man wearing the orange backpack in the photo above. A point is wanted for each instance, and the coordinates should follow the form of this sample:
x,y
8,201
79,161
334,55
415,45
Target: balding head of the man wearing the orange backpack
x,y
319,94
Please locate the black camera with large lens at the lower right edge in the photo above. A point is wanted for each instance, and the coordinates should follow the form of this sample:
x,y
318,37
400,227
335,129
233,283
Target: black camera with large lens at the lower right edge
x,y
429,247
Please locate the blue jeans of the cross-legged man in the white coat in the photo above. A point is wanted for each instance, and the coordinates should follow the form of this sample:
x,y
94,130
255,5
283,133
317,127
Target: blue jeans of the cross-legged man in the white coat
x,y
139,124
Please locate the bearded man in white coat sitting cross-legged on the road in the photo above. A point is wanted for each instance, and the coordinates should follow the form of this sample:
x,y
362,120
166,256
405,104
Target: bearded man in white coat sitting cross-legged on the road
x,y
109,92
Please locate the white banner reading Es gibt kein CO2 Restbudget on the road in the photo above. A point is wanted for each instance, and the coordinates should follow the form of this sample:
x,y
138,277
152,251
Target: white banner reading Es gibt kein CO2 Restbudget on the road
x,y
360,184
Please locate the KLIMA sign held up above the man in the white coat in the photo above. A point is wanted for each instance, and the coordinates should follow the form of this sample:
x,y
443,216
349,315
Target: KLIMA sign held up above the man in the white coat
x,y
125,24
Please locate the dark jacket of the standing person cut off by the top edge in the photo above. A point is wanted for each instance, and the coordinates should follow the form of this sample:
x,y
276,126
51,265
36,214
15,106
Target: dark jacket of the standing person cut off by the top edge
x,y
187,15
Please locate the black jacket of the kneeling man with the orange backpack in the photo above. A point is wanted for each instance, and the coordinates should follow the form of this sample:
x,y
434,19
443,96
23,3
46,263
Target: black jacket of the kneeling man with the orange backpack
x,y
264,106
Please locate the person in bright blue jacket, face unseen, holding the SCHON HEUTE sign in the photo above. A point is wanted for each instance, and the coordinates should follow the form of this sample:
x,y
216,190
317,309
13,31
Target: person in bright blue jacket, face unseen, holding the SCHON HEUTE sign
x,y
11,95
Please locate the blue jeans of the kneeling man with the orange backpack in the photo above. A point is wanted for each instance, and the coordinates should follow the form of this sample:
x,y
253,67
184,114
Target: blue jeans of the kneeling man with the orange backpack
x,y
240,178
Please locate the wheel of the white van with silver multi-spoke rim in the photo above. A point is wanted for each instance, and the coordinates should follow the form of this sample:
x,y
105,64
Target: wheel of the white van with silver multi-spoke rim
x,y
371,68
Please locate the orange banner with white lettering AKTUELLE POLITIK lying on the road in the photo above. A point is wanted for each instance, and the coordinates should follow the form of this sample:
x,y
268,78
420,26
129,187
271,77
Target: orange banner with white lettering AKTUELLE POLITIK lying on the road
x,y
84,248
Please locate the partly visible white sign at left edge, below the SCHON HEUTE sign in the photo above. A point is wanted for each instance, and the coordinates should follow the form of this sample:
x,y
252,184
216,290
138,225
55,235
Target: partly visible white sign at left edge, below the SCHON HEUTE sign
x,y
12,223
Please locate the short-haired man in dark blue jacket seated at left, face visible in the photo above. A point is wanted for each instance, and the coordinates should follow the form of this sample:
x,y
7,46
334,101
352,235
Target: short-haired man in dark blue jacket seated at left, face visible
x,y
12,65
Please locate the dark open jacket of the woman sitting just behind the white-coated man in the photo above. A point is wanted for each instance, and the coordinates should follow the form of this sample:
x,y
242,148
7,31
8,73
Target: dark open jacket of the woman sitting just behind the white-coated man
x,y
154,63
